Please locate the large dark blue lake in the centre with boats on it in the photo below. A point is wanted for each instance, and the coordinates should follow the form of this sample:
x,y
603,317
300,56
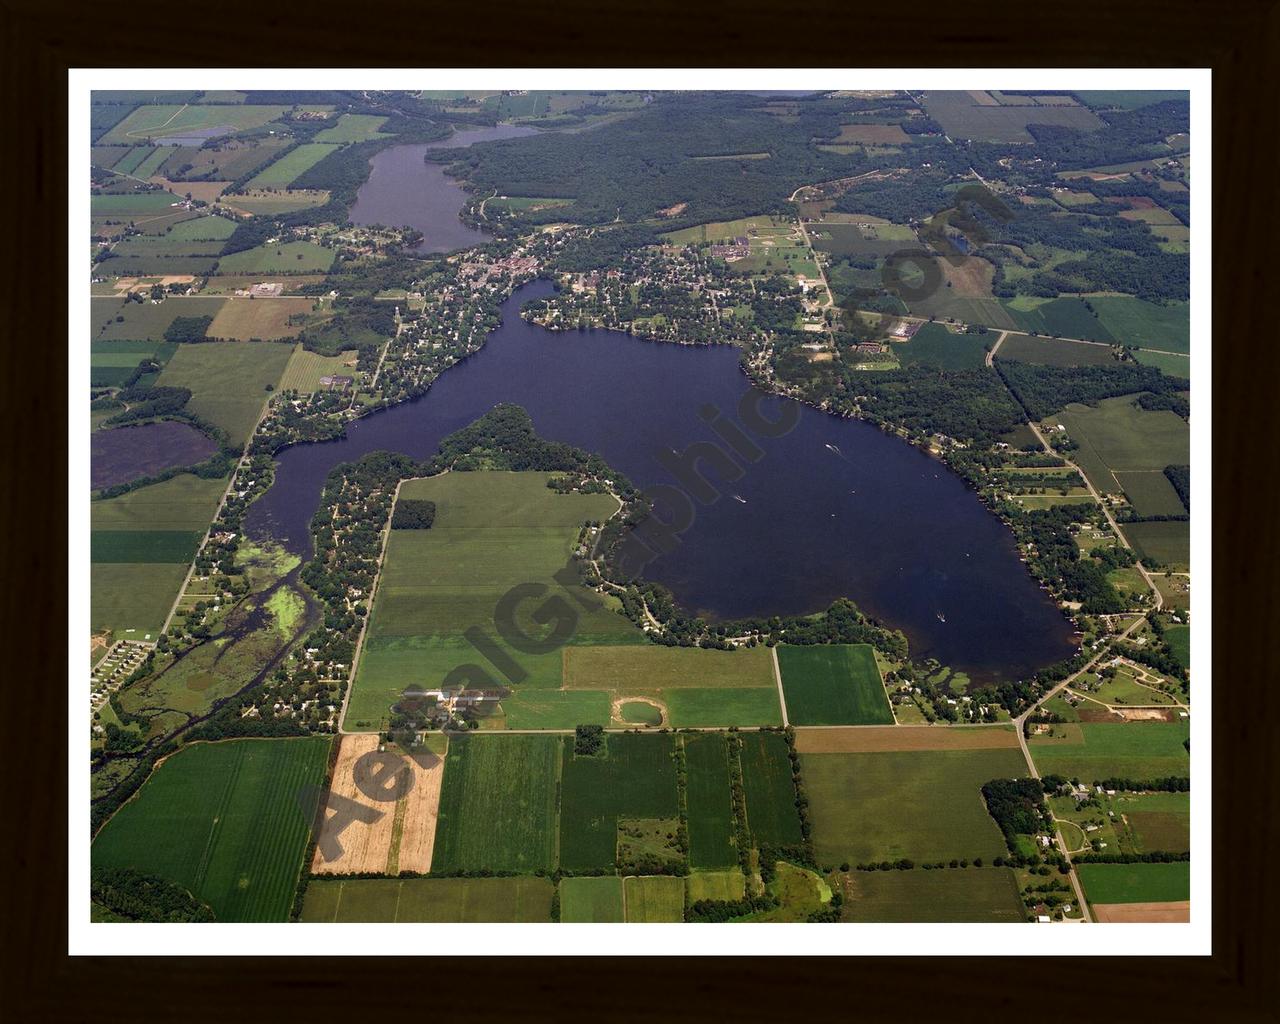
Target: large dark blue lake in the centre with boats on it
x,y
834,509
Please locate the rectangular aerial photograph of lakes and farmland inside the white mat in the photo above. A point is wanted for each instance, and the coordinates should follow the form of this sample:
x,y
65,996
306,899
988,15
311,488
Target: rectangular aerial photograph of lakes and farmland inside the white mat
x,y
620,506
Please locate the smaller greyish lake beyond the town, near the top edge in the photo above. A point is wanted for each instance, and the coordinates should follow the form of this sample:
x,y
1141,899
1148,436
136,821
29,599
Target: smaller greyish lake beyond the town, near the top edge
x,y
406,191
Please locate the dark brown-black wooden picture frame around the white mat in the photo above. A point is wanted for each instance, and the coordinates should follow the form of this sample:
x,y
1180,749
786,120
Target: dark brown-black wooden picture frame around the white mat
x,y
1238,39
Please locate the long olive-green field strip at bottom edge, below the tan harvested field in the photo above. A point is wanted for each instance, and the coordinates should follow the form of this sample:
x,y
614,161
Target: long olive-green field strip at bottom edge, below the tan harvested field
x,y
518,900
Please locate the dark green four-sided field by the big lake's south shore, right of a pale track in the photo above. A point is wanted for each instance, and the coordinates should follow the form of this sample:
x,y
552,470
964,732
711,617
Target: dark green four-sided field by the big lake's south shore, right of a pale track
x,y
834,685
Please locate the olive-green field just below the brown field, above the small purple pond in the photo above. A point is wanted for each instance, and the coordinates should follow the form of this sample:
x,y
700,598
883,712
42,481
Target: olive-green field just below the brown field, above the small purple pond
x,y
228,382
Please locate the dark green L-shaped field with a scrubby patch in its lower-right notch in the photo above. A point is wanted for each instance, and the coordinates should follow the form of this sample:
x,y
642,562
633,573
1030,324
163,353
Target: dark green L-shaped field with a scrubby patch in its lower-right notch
x,y
636,779
